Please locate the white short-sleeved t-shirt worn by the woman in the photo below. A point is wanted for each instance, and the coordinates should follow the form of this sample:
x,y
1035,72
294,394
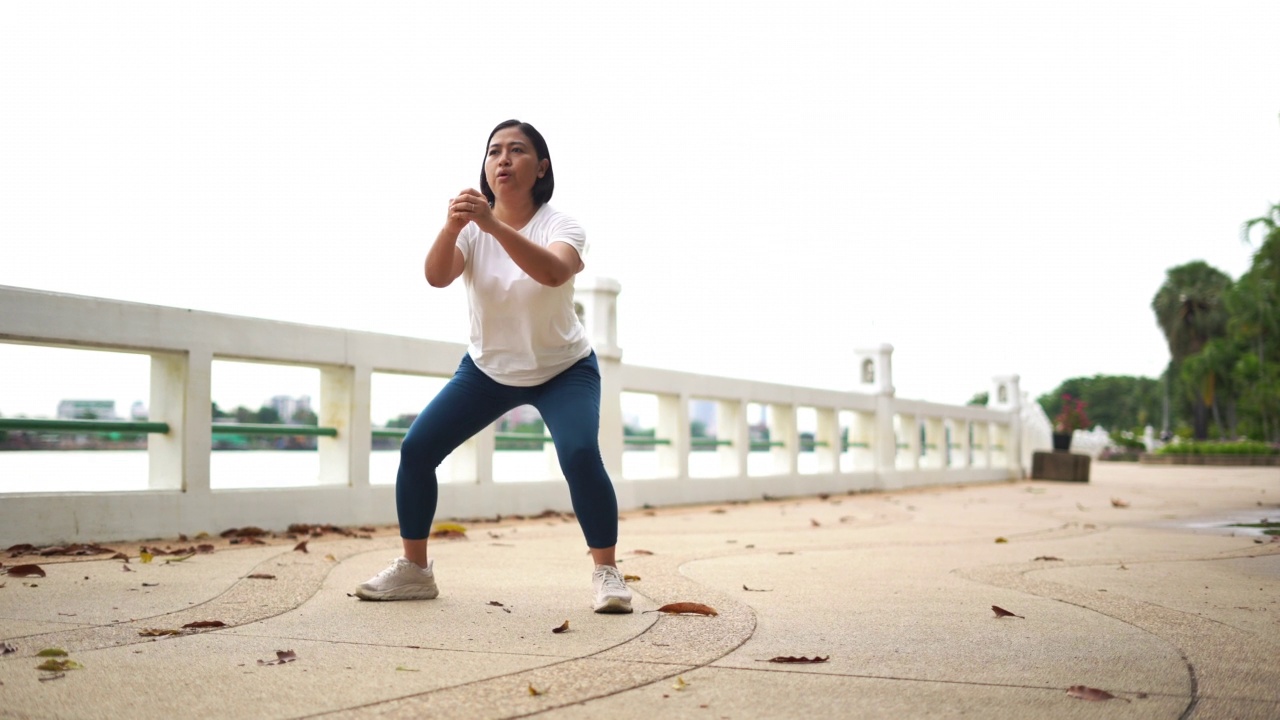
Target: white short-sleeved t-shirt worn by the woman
x,y
523,332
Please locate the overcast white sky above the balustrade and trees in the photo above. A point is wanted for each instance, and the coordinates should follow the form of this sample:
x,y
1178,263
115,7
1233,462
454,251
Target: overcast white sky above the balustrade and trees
x,y
993,188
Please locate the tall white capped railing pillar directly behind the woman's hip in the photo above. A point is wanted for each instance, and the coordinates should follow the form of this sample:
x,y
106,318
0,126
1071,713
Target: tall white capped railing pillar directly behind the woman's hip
x,y
598,300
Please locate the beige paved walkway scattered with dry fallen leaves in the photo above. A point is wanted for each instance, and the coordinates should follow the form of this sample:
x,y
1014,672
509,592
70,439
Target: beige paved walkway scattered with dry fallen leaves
x,y
894,590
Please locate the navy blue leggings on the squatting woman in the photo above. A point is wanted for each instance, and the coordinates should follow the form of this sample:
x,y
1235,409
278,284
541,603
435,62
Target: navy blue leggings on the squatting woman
x,y
570,405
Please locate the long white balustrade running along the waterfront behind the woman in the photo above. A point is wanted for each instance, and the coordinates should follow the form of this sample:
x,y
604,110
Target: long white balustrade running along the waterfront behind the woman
x,y
856,445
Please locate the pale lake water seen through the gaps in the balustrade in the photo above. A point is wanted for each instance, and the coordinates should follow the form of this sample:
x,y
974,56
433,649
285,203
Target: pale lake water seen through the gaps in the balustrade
x,y
85,471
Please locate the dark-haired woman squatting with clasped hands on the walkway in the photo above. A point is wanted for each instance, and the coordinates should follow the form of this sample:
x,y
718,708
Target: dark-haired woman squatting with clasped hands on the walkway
x,y
518,258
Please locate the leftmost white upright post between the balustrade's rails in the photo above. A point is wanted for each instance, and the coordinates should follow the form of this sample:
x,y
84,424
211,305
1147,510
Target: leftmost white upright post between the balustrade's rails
x,y
181,391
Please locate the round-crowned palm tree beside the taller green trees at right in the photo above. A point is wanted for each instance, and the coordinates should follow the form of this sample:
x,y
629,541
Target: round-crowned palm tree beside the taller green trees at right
x,y
1191,311
